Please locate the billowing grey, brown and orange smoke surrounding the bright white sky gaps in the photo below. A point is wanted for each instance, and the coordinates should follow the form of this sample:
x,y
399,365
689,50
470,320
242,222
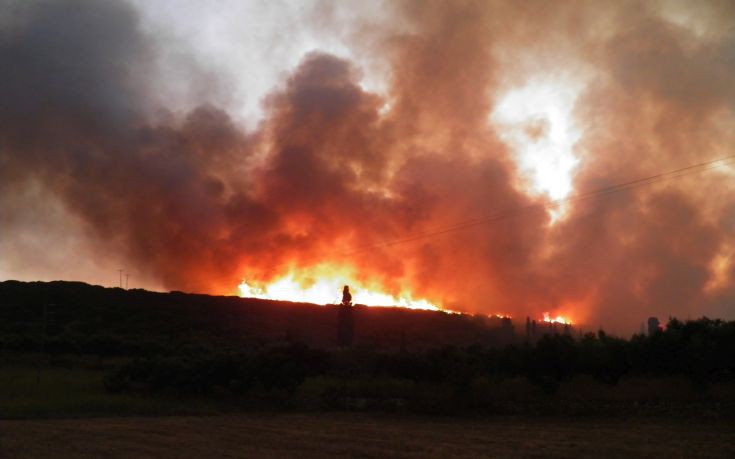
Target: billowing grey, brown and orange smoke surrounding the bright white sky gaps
x,y
195,202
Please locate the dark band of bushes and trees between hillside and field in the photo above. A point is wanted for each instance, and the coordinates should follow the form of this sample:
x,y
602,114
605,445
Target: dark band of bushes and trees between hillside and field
x,y
702,351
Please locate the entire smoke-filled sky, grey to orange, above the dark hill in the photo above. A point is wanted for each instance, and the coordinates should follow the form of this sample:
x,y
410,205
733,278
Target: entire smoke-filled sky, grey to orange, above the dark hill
x,y
198,144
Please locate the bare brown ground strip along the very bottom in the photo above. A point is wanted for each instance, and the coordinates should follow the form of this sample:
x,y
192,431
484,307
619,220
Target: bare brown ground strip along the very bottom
x,y
362,435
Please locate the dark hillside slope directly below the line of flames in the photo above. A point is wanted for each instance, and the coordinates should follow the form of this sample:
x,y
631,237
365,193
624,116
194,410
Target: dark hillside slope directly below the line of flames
x,y
85,317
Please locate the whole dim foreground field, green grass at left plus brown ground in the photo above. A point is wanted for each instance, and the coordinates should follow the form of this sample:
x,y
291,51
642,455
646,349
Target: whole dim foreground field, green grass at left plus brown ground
x,y
91,422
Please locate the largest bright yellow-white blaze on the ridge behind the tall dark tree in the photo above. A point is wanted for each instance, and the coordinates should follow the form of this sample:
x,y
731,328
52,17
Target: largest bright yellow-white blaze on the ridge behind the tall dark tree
x,y
328,290
